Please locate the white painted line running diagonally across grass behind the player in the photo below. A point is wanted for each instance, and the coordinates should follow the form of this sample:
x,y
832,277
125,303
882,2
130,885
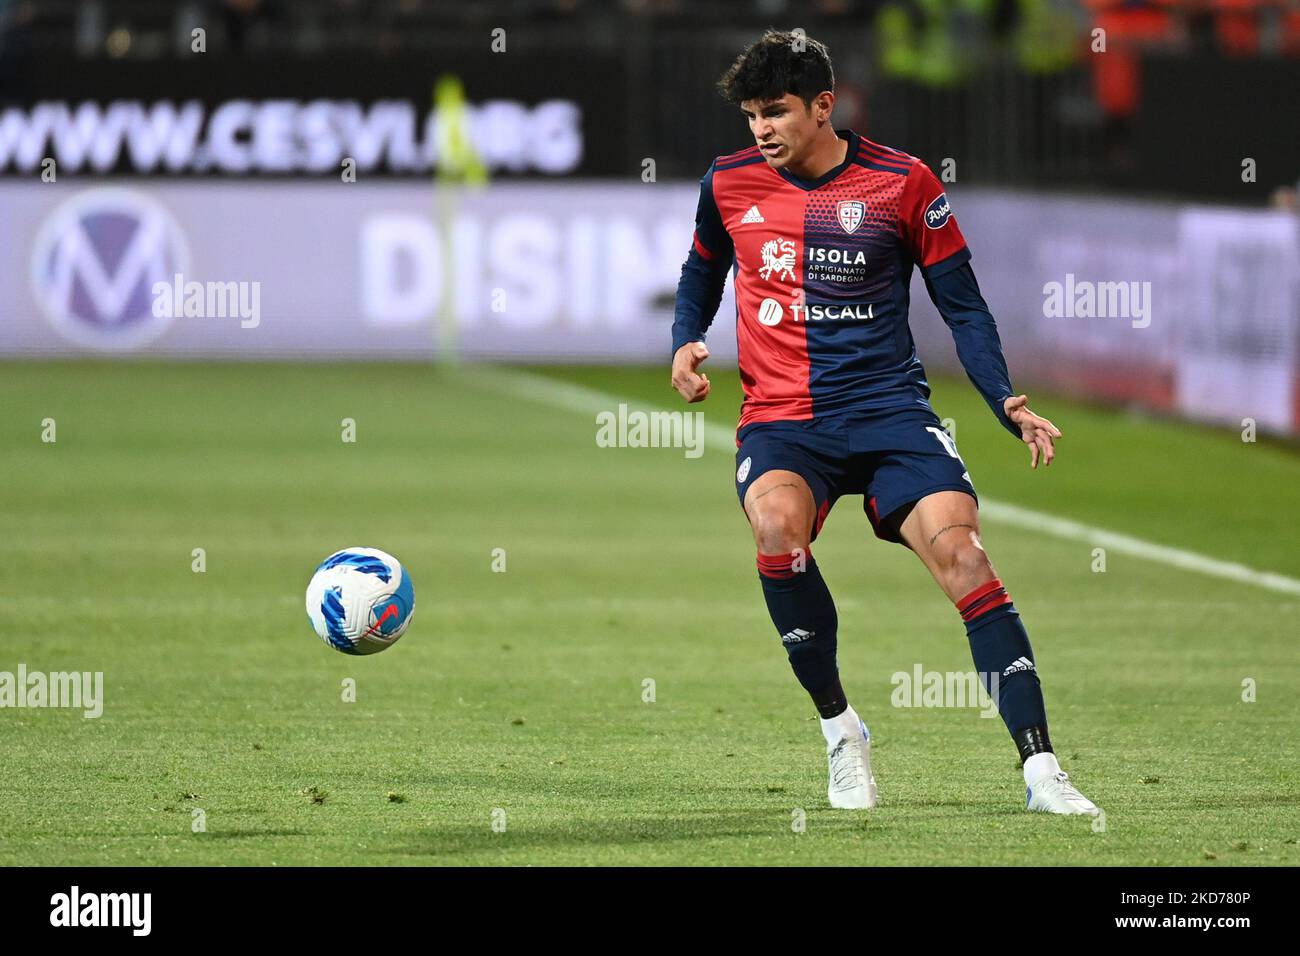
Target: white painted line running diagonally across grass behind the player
x,y
582,400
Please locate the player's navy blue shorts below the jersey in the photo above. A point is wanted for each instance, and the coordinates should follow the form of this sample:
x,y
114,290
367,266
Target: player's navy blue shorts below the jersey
x,y
892,460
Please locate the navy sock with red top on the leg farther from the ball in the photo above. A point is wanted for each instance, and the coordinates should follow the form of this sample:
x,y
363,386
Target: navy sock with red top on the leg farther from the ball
x,y
1000,646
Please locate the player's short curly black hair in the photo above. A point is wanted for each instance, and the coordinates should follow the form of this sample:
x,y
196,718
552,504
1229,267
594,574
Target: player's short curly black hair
x,y
777,64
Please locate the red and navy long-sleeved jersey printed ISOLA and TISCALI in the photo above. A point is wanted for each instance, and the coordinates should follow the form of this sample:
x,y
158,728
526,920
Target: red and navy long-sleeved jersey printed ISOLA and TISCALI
x,y
822,272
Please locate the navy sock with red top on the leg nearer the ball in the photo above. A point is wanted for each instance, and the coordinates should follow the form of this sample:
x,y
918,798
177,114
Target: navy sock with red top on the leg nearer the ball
x,y
805,618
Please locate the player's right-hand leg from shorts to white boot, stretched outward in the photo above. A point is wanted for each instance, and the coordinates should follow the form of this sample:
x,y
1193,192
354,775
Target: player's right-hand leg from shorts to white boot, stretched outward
x,y
943,530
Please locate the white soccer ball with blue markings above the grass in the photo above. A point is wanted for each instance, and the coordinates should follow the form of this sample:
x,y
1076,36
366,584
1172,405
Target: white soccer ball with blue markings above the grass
x,y
361,600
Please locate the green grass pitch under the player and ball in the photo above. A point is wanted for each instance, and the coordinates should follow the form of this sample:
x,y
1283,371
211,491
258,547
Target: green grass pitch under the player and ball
x,y
518,698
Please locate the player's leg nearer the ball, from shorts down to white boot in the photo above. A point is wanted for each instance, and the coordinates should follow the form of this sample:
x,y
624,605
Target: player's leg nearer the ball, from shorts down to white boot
x,y
782,511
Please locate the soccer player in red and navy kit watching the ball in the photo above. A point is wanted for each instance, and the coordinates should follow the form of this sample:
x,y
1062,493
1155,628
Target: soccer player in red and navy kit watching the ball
x,y
821,230
